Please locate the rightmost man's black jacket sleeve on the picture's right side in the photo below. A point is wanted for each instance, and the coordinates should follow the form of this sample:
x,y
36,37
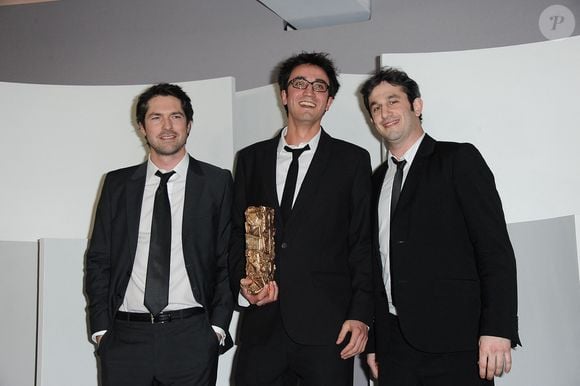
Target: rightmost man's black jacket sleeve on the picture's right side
x,y
484,217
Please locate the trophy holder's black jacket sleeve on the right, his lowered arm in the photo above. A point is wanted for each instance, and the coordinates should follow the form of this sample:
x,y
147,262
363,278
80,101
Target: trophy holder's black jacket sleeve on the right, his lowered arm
x,y
361,307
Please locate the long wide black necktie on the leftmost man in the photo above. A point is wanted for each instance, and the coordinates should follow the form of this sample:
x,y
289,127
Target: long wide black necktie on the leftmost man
x,y
157,282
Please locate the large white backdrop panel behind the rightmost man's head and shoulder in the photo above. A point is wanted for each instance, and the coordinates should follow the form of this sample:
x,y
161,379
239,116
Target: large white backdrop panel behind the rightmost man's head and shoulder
x,y
519,105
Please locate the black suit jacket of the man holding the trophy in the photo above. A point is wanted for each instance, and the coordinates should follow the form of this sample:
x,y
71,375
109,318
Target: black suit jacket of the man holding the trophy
x,y
323,254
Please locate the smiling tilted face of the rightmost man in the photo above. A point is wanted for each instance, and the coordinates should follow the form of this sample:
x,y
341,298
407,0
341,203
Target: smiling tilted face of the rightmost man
x,y
396,120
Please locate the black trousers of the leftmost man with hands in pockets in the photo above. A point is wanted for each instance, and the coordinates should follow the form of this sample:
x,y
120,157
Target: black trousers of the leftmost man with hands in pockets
x,y
179,353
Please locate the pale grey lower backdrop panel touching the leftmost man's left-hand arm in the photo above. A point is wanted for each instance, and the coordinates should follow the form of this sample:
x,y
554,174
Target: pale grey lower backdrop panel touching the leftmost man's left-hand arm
x,y
64,353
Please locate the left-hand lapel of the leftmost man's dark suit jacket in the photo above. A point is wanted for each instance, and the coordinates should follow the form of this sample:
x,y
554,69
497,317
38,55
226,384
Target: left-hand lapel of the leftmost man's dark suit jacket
x,y
134,199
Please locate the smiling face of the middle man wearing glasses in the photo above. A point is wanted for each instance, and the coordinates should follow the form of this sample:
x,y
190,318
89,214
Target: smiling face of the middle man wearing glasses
x,y
306,106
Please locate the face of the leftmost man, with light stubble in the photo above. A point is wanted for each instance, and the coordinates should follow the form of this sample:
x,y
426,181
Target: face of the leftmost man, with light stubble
x,y
165,127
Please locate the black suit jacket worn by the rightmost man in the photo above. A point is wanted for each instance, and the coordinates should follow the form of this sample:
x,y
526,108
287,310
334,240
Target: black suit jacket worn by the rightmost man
x,y
452,264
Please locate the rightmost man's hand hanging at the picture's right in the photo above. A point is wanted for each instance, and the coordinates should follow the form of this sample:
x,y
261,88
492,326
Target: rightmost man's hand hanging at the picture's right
x,y
495,356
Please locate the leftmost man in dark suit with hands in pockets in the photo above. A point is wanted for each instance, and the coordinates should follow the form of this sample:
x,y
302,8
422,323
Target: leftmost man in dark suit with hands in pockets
x,y
156,272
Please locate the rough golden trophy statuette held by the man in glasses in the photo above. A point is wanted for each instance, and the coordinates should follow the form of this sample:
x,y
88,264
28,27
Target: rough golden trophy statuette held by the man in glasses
x,y
260,232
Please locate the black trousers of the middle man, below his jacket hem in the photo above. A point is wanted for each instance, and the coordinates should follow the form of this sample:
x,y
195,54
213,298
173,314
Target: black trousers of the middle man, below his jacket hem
x,y
282,362
